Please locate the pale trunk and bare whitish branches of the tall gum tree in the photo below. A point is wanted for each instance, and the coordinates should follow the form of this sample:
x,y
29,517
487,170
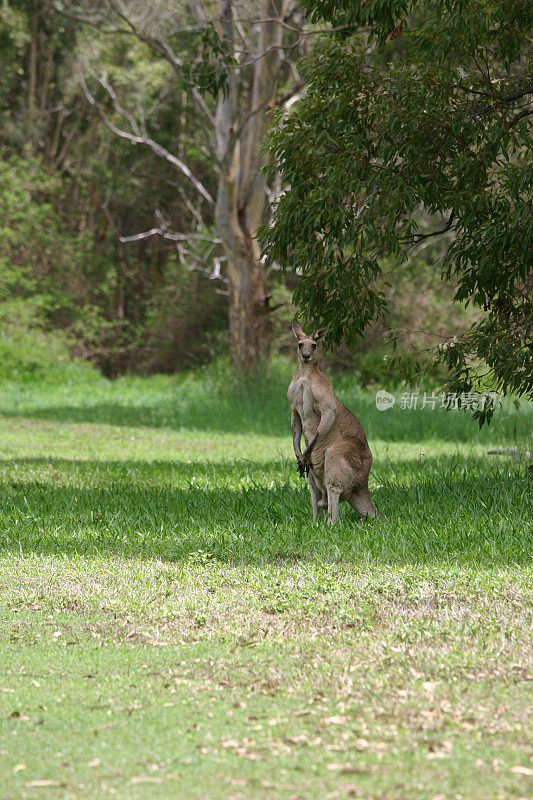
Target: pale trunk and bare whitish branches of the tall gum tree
x,y
241,126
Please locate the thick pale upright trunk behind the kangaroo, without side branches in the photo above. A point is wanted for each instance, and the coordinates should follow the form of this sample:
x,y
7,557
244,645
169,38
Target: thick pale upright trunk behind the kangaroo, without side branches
x,y
241,191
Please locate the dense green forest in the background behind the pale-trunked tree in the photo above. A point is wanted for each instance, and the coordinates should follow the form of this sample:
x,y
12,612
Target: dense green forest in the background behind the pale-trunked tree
x,y
71,190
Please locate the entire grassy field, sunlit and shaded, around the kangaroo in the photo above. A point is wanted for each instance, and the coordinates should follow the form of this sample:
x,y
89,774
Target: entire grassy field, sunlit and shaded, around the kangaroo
x,y
174,625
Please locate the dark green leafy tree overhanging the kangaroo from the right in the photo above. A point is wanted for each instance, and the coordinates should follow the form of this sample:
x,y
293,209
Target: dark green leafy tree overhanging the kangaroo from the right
x,y
425,115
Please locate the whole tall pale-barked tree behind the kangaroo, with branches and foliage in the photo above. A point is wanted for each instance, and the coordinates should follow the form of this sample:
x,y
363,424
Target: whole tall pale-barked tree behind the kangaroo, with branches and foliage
x,y
230,66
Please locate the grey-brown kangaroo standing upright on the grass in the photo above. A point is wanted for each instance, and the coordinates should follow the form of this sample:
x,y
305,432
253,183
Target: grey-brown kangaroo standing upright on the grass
x,y
337,458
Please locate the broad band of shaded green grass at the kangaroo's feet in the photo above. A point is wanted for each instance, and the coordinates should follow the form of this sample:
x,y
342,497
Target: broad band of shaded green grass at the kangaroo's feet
x,y
174,511
